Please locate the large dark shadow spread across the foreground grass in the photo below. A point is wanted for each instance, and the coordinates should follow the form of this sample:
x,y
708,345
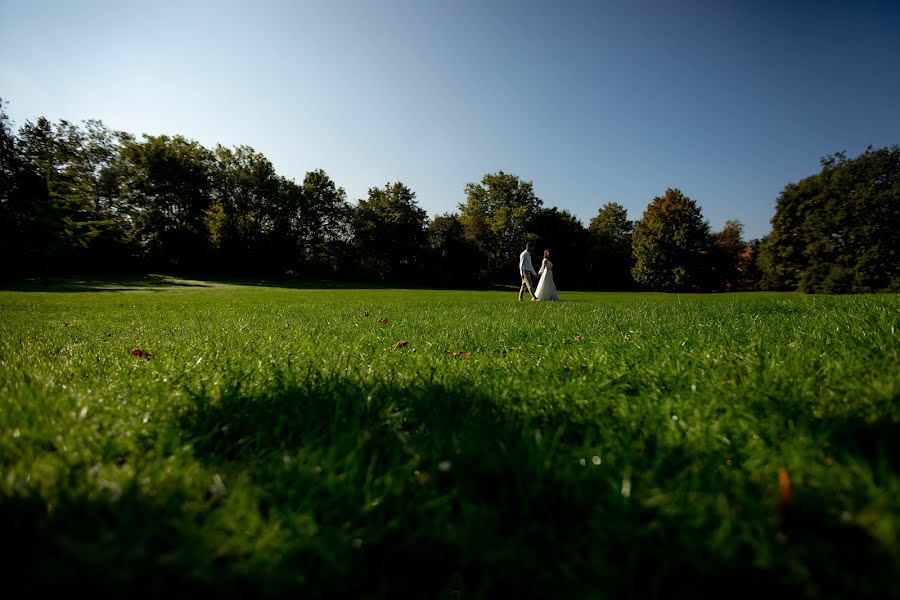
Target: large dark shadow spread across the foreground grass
x,y
422,491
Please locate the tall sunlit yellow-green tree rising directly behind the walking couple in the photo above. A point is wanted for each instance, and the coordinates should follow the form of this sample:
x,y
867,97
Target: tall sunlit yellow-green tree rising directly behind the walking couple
x,y
497,215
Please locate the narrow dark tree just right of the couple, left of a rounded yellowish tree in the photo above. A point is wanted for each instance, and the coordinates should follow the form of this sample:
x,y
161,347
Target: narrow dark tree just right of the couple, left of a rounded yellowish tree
x,y
610,247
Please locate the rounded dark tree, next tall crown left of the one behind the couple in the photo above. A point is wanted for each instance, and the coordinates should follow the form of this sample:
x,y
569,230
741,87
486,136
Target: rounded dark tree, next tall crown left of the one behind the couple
x,y
389,233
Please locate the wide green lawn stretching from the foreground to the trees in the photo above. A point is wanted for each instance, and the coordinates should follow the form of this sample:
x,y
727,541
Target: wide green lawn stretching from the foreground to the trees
x,y
384,443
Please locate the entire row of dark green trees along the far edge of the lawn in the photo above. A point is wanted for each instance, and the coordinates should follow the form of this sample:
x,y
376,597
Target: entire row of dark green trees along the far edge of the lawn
x,y
84,198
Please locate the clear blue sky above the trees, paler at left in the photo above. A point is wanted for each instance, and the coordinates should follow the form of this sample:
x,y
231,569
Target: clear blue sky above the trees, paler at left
x,y
592,101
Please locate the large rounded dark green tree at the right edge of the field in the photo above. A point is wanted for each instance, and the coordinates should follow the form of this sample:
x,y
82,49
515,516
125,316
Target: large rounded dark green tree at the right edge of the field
x,y
838,230
